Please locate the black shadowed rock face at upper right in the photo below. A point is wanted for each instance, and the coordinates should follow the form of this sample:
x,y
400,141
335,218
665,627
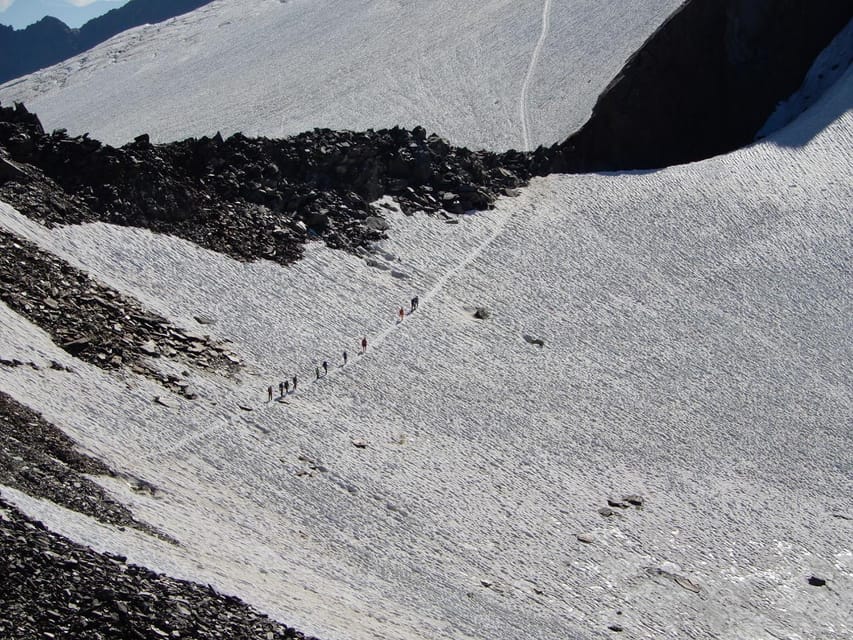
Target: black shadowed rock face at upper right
x,y
704,83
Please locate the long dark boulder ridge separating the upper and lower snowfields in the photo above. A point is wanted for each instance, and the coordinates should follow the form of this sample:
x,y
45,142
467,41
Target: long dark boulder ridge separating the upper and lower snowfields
x,y
250,198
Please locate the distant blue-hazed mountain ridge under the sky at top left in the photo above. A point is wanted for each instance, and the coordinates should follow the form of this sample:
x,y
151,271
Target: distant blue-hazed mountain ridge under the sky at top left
x,y
50,40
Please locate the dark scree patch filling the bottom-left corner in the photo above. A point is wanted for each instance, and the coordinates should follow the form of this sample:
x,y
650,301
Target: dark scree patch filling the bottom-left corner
x,y
53,588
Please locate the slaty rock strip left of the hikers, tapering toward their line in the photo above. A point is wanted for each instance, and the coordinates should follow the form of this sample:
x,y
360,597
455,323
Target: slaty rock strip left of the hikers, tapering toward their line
x,y
94,322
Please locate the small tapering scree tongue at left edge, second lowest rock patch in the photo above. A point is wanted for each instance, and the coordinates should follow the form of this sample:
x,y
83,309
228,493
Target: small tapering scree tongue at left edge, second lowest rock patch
x,y
39,459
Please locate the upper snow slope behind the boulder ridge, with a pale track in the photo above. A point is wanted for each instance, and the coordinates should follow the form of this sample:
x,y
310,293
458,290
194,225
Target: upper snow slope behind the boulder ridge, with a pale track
x,y
495,73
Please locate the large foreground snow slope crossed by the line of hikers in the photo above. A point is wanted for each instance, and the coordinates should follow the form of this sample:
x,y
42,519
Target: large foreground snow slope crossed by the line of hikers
x,y
697,328
